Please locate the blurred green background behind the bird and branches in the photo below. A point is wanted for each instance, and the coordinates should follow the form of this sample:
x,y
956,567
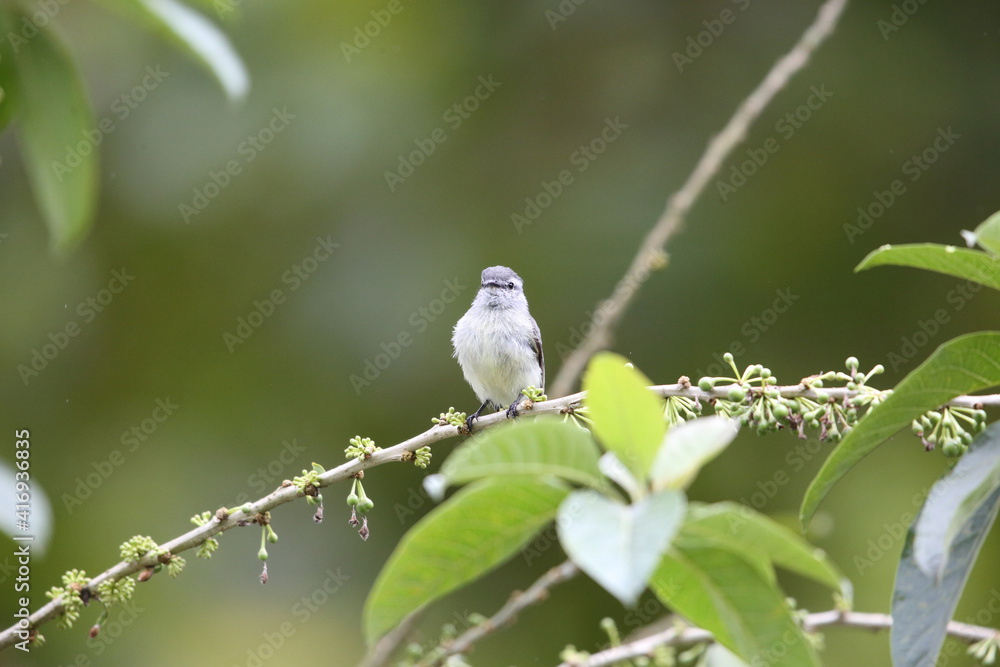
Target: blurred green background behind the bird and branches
x,y
250,414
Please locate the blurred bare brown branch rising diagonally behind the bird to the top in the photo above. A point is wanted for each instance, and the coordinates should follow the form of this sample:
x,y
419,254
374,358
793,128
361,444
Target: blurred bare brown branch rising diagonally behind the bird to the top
x,y
651,253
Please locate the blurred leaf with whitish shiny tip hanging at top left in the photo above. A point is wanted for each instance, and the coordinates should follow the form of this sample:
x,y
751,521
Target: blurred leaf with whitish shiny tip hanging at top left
x,y
195,34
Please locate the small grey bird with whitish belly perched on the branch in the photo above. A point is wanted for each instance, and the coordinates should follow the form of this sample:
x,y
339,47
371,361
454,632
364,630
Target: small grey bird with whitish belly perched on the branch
x,y
498,344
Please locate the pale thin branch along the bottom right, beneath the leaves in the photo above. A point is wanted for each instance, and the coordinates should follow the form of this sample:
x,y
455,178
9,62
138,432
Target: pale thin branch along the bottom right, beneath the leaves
x,y
687,636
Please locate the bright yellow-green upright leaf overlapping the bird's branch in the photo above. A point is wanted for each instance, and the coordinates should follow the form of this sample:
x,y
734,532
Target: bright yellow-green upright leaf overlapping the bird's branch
x,y
628,418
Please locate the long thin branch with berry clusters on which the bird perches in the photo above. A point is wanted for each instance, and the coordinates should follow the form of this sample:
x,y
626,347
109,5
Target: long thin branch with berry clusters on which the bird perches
x,y
227,519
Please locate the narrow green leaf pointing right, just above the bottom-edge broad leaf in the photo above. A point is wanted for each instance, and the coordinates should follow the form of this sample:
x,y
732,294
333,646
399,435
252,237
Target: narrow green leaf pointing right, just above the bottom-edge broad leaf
x,y
742,530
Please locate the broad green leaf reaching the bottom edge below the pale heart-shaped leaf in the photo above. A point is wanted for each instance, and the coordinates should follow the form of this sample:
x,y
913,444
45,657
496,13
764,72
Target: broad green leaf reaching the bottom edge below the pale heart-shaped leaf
x,y
726,594
